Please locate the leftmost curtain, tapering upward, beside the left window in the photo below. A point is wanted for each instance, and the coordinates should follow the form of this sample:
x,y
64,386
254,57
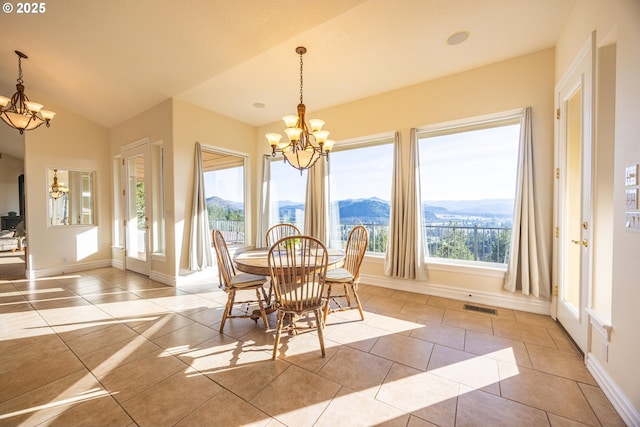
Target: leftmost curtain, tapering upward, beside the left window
x,y
200,237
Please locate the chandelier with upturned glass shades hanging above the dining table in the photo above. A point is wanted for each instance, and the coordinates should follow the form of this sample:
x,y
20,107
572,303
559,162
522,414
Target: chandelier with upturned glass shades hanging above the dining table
x,y
304,147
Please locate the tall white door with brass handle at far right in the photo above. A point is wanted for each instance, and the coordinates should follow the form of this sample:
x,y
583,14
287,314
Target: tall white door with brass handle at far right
x,y
572,259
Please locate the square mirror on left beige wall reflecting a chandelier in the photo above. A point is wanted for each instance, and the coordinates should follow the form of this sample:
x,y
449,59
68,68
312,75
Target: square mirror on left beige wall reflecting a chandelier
x,y
70,197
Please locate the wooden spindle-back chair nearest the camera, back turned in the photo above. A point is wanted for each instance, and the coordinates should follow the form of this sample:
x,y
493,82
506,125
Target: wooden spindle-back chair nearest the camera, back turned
x,y
298,265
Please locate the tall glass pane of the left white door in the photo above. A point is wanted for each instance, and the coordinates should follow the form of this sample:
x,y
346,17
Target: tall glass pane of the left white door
x,y
136,218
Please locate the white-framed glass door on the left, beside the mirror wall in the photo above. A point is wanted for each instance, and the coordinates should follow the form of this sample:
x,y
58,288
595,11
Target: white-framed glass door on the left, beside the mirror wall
x,y
136,214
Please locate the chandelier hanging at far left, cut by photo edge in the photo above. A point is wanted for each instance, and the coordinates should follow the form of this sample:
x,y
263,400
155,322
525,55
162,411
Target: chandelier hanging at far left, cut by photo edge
x,y
20,113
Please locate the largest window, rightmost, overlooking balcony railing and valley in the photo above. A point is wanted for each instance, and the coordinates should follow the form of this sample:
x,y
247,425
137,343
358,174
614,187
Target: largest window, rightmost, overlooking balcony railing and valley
x,y
468,180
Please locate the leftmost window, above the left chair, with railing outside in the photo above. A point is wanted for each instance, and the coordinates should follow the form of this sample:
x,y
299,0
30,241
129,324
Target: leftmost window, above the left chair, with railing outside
x,y
224,193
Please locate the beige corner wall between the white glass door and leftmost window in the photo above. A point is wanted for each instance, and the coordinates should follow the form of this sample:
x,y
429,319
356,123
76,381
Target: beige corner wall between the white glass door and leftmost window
x,y
178,125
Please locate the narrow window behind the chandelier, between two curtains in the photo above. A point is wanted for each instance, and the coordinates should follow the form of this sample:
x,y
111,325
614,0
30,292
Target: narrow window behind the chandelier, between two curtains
x,y
288,189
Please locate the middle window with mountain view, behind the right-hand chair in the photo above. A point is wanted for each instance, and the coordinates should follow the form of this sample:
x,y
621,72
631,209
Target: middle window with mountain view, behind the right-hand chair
x,y
360,190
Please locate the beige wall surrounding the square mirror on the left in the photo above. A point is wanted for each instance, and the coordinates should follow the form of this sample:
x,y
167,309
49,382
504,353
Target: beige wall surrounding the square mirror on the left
x,y
75,143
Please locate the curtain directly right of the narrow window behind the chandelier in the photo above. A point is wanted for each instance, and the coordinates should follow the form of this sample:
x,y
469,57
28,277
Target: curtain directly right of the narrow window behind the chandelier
x,y
316,206
